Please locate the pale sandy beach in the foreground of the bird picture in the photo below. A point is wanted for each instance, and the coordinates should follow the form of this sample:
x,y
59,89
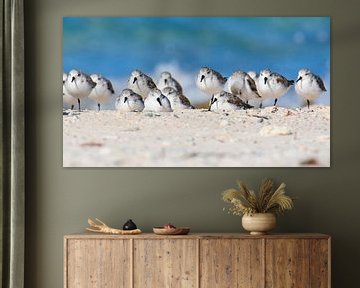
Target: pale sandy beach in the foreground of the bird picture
x,y
198,138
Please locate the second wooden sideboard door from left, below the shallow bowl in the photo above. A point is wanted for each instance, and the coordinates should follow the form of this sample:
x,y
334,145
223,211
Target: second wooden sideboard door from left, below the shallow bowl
x,y
165,263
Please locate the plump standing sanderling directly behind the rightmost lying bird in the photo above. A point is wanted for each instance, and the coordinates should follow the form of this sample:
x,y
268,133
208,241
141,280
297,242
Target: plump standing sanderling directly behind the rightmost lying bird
x,y
243,86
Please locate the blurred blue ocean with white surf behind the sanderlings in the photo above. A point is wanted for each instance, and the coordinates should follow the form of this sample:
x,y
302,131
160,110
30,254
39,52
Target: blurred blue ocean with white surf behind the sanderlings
x,y
114,46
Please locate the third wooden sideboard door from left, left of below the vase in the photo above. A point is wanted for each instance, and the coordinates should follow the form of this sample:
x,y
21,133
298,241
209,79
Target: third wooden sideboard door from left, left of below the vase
x,y
231,263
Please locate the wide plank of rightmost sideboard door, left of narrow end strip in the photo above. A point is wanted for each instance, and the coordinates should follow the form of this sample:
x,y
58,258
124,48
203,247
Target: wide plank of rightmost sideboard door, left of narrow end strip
x,y
287,263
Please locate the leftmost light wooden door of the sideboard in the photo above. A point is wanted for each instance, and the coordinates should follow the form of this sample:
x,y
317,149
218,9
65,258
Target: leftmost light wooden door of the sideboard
x,y
98,263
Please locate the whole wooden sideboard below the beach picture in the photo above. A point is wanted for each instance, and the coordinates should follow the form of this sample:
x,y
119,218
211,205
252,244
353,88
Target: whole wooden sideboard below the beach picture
x,y
197,260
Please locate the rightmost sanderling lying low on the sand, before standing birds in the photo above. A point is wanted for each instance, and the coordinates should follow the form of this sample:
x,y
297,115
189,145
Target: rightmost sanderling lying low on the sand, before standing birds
x,y
225,101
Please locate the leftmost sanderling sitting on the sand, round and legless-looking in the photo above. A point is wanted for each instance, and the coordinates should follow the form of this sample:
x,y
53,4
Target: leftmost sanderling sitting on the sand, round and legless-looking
x,y
129,101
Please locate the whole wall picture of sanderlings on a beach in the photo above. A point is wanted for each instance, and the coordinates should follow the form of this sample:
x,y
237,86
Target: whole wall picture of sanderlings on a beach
x,y
196,91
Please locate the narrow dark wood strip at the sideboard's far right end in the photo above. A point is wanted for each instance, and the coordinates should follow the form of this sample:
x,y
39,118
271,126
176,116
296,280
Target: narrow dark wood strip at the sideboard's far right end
x,y
319,263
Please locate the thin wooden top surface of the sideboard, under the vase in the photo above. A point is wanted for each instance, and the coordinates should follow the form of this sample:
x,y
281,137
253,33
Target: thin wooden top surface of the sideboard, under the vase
x,y
87,235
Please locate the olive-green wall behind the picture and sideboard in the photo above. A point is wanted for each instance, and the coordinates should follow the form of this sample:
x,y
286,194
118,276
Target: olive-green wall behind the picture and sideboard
x,y
60,200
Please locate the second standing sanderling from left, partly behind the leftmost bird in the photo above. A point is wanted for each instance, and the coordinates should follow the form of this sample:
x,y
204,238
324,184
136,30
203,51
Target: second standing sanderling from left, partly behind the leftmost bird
x,y
103,90
